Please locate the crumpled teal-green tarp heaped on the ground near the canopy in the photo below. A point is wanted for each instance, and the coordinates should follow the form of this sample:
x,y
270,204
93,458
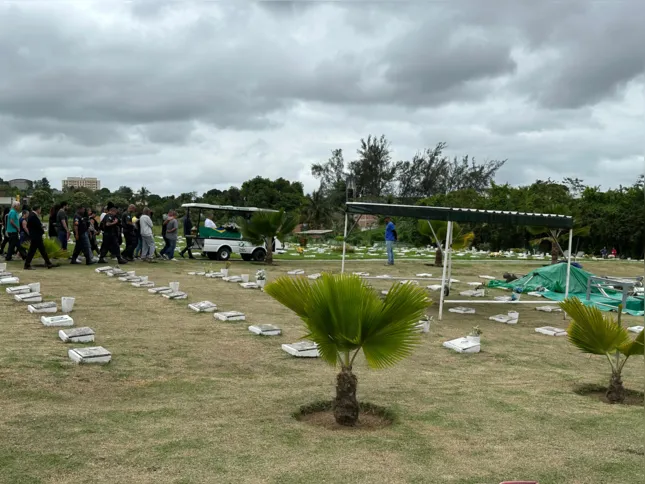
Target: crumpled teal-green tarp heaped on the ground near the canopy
x,y
553,279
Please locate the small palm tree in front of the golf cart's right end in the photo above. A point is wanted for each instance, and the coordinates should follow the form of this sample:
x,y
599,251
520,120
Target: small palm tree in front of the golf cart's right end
x,y
265,227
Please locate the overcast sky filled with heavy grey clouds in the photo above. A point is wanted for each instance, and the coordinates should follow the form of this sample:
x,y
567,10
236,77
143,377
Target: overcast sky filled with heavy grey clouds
x,y
183,96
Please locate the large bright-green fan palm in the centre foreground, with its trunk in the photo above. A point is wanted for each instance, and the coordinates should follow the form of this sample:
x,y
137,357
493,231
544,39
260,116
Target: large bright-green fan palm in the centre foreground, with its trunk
x,y
344,316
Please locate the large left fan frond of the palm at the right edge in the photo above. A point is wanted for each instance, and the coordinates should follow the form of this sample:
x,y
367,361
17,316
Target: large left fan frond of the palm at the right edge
x,y
591,331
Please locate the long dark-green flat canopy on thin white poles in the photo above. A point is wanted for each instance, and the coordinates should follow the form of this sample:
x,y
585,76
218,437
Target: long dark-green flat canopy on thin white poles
x,y
452,215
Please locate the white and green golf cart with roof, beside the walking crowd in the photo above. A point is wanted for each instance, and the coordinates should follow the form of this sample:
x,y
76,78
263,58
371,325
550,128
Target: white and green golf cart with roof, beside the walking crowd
x,y
220,242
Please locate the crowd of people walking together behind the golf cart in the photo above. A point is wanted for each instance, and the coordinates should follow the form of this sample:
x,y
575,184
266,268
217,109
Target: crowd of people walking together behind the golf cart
x,y
23,225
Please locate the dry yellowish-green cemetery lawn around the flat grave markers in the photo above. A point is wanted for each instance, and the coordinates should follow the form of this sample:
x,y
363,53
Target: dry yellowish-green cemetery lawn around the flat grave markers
x,y
188,399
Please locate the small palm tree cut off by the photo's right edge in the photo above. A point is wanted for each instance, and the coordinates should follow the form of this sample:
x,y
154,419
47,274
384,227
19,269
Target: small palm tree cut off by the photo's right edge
x,y
593,333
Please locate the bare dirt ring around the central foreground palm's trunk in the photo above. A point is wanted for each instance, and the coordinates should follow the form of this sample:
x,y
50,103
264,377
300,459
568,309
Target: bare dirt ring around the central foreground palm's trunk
x,y
321,414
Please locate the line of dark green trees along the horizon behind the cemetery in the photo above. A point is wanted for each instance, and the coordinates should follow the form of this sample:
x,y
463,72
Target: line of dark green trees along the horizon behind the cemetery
x,y
610,218
